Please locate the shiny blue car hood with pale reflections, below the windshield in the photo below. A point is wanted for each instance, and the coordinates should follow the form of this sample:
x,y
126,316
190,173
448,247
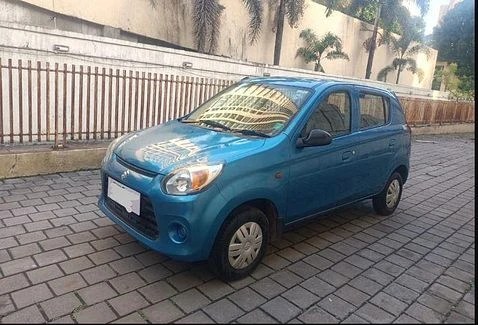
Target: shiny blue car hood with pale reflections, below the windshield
x,y
163,148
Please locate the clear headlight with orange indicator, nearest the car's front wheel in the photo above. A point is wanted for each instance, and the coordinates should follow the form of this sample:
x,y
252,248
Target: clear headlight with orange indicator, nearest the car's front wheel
x,y
191,179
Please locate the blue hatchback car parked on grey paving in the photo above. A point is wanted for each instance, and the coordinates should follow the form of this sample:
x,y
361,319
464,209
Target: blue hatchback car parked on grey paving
x,y
221,182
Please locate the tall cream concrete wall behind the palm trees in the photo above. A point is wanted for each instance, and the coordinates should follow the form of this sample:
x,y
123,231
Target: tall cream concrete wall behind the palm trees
x,y
171,22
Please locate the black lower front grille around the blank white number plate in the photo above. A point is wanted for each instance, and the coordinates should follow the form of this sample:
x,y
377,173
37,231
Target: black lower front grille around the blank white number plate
x,y
145,223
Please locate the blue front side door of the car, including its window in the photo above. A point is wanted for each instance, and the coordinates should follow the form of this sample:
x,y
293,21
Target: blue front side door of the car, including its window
x,y
320,176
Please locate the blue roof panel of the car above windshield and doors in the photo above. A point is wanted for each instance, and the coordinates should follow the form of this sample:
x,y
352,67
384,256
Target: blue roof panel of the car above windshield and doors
x,y
310,82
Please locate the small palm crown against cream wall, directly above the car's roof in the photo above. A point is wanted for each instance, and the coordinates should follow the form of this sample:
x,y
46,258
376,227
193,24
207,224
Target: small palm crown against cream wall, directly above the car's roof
x,y
330,44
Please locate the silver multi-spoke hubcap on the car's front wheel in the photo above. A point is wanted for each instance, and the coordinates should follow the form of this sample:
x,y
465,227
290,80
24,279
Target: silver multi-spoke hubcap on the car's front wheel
x,y
245,245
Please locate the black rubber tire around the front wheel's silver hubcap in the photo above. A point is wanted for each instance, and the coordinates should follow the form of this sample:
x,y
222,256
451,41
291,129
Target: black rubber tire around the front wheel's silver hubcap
x,y
219,257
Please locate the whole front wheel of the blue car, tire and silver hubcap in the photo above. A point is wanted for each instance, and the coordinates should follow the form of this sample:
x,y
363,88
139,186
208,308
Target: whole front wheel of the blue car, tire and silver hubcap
x,y
240,245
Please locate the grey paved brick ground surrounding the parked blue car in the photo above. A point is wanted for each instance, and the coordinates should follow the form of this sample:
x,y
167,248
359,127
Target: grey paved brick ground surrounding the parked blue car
x,y
62,261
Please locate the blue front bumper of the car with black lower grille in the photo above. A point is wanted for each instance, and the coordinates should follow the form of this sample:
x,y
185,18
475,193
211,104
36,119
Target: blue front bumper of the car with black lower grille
x,y
197,214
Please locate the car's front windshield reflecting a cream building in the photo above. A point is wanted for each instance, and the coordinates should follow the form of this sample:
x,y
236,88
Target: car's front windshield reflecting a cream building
x,y
256,109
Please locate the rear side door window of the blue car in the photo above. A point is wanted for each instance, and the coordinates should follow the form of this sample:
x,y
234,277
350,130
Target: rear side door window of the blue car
x,y
374,110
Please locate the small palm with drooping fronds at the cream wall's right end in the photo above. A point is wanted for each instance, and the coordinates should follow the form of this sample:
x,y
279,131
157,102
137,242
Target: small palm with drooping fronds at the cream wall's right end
x,y
405,51
